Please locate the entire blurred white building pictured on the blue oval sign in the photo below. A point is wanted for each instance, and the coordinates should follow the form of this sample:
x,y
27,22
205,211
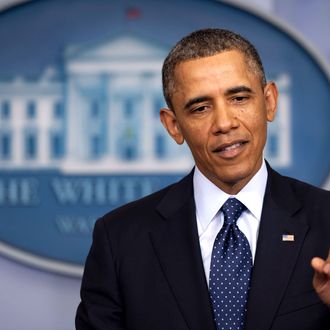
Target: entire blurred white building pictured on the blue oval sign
x,y
102,114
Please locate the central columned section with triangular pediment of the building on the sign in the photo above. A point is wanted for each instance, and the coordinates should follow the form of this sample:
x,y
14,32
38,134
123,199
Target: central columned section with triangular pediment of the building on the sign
x,y
114,97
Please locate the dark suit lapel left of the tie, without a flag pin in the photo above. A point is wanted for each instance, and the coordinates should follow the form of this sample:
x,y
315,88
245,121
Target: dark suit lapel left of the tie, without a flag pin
x,y
176,245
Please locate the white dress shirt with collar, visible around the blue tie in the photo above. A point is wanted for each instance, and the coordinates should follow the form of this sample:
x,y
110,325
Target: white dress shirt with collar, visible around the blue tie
x,y
209,199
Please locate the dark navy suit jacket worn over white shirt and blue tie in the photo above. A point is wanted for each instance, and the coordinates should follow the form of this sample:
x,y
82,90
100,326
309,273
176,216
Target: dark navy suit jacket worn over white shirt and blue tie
x,y
145,271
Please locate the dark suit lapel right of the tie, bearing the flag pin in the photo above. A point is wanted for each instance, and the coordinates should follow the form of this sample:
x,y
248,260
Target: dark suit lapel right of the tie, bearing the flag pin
x,y
275,258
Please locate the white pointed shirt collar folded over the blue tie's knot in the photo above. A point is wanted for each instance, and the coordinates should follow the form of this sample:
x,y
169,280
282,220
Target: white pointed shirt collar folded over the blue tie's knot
x,y
209,198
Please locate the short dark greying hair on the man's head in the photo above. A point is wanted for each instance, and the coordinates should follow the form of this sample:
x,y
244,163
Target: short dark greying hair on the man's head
x,y
204,43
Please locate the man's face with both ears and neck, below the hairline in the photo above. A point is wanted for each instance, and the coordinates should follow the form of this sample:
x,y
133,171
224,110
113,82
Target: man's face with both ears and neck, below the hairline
x,y
221,110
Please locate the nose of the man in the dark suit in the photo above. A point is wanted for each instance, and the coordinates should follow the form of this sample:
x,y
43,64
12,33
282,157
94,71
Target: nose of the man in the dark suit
x,y
224,119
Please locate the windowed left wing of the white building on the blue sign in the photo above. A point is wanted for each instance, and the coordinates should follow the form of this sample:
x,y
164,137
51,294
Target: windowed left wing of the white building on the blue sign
x,y
31,122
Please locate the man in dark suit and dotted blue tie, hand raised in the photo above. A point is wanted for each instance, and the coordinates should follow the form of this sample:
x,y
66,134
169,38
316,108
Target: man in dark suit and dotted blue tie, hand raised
x,y
150,261
